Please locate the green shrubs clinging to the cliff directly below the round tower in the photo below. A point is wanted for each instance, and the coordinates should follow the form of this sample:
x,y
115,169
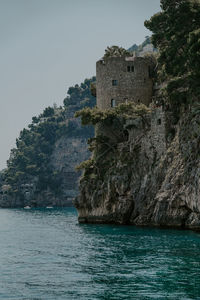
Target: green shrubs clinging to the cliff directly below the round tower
x,y
109,133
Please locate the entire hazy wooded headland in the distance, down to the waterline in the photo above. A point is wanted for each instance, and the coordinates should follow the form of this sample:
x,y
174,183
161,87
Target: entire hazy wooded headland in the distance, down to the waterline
x,y
41,169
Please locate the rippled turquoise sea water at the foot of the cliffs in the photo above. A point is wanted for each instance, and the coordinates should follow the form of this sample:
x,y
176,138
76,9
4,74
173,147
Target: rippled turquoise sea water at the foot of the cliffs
x,y
46,254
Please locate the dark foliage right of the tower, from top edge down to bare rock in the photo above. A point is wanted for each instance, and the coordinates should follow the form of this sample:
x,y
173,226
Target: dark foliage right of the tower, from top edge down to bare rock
x,y
176,34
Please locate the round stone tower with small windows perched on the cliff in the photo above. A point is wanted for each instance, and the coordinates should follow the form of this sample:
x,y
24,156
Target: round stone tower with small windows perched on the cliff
x,y
123,79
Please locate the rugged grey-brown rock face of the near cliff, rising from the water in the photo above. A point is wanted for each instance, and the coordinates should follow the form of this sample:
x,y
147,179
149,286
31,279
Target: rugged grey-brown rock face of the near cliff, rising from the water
x,y
151,179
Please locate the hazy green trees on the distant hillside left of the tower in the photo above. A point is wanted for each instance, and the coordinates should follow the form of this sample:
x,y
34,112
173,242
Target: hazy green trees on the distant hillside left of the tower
x,y
30,161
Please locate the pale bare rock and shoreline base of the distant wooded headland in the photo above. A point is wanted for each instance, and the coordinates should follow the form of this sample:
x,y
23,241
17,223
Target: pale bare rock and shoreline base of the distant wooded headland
x,y
67,154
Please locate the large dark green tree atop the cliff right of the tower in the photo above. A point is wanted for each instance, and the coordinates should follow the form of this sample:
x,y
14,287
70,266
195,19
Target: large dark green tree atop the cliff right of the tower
x,y
176,35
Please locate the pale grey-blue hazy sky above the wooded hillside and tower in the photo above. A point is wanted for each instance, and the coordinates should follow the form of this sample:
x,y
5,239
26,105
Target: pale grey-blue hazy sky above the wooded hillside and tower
x,y
46,46
